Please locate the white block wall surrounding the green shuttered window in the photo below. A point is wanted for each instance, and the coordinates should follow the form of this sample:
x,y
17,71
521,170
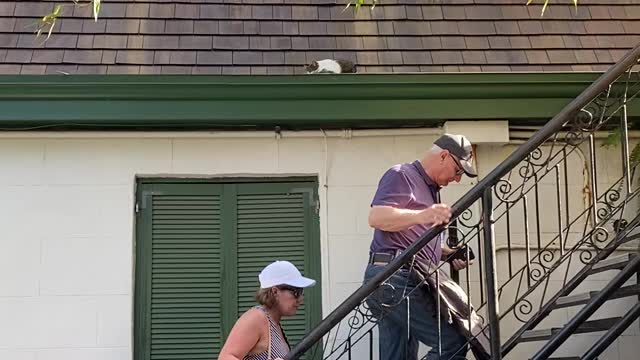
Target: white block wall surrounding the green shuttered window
x,y
66,214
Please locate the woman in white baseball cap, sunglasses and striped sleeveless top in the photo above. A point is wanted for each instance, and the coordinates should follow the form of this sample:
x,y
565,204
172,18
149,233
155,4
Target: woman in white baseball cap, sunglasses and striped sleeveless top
x,y
257,335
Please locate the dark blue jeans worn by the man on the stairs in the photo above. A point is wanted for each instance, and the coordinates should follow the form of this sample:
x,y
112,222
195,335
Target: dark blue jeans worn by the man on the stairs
x,y
399,340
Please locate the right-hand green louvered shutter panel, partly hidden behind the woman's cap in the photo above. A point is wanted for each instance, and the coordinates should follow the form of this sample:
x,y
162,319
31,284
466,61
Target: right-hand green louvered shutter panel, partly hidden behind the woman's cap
x,y
274,223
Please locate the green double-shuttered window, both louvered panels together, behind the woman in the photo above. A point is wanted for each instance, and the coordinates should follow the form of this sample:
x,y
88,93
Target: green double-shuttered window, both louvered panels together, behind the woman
x,y
199,249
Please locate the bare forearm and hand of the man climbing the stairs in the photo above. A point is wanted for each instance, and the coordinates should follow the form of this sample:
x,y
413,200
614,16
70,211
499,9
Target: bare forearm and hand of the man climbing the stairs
x,y
388,218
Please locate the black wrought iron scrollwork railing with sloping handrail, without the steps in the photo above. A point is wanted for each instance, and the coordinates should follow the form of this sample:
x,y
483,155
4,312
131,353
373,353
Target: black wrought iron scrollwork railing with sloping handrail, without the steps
x,y
554,235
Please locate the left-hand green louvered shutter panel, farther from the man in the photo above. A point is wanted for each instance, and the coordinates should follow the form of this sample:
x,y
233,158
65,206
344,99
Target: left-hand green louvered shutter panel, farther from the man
x,y
180,245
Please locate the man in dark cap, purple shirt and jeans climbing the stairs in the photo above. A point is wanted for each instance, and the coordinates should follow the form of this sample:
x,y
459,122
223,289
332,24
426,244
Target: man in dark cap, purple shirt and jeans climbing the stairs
x,y
405,206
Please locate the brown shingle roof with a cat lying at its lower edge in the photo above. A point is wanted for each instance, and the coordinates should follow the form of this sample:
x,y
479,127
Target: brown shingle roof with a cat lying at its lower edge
x,y
280,36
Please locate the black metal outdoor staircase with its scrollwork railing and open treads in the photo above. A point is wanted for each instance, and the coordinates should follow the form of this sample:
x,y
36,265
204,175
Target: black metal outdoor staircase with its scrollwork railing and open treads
x,y
553,254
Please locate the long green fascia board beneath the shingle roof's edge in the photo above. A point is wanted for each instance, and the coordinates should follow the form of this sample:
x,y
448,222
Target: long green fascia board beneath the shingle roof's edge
x,y
364,100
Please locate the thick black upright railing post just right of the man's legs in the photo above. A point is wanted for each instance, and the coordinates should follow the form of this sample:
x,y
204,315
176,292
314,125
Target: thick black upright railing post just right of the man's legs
x,y
490,271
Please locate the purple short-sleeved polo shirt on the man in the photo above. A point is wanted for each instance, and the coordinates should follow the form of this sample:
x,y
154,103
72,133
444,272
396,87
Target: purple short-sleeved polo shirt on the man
x,y
406,186
